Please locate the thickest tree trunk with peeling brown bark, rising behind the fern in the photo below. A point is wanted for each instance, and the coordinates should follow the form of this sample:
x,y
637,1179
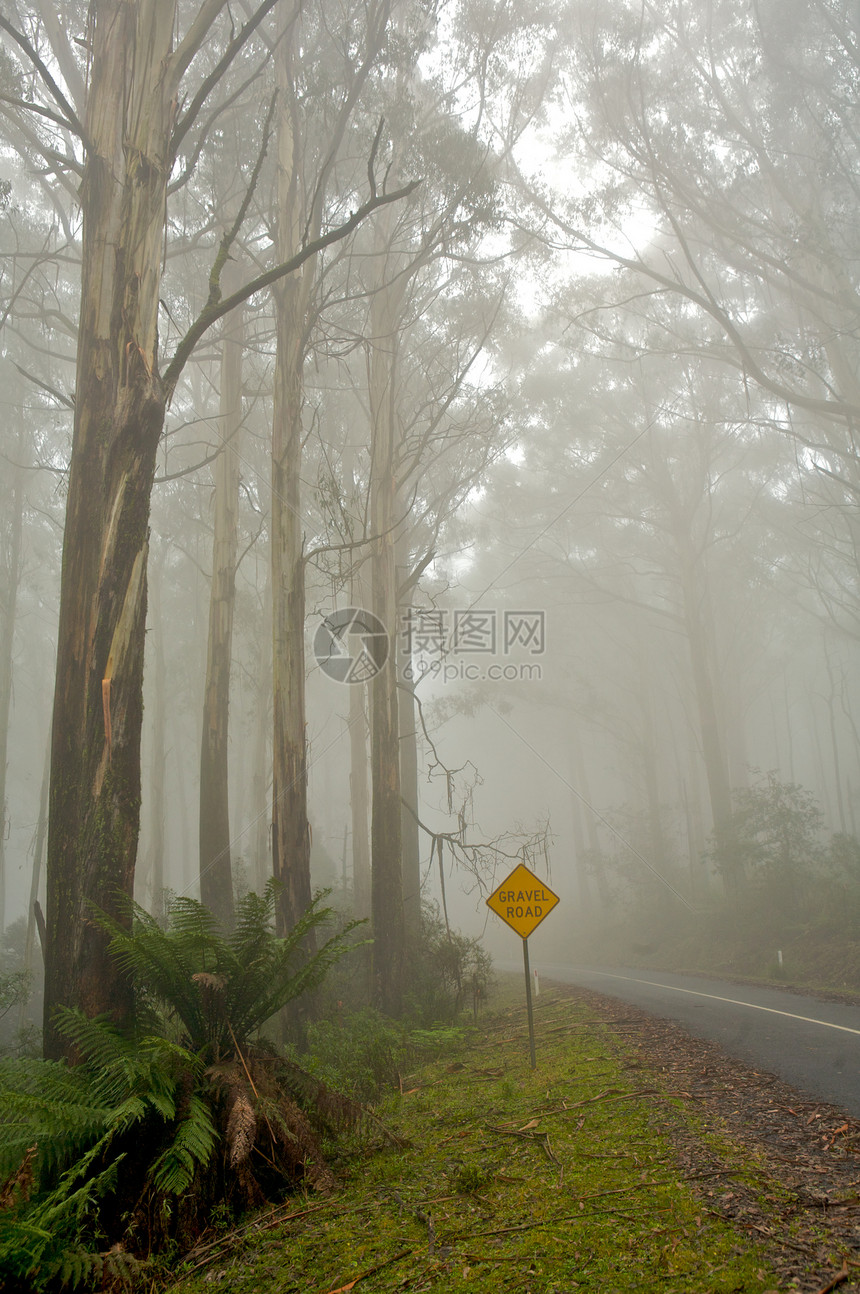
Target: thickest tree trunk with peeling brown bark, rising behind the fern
x,y
120,411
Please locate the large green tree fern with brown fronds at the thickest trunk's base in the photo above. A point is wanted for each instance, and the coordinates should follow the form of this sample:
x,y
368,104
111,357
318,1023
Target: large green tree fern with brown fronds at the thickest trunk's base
x,y
183,1101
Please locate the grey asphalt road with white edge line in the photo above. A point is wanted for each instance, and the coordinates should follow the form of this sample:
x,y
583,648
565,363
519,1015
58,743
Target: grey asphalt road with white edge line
x,y
810,1044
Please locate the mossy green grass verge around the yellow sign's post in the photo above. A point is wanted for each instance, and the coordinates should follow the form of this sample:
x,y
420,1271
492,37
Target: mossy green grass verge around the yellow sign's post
x,y
499,1178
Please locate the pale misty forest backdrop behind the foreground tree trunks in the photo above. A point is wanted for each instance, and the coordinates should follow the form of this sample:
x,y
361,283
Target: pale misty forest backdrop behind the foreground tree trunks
x,y
624,307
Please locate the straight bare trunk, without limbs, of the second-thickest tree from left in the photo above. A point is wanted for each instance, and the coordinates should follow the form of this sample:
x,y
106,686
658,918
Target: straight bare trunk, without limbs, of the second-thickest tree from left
x,y
290,830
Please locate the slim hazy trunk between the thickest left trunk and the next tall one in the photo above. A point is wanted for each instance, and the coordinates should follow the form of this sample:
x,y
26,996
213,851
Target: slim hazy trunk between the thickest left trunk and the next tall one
x,y
217,864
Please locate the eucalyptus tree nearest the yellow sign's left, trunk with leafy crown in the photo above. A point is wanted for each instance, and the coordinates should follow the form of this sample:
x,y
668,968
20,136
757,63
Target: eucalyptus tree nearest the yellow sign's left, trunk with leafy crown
x,y
433,430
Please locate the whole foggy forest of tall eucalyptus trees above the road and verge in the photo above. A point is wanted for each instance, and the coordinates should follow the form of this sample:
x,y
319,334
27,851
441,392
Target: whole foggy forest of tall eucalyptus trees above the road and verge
x,y
429,446
